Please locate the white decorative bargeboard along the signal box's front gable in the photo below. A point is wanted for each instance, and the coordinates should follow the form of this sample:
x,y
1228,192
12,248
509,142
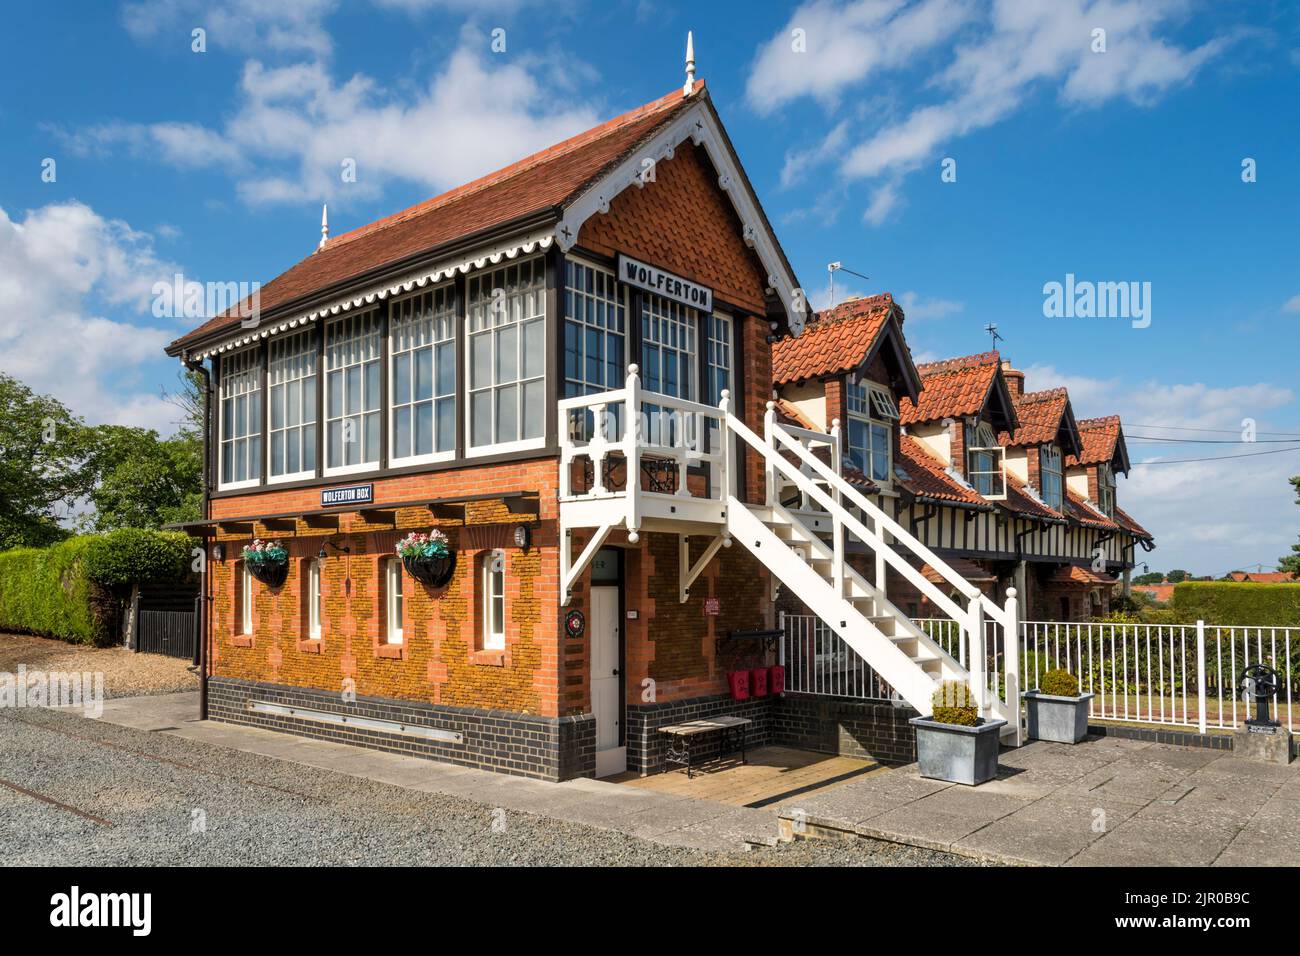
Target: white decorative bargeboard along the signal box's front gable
x,y
703,129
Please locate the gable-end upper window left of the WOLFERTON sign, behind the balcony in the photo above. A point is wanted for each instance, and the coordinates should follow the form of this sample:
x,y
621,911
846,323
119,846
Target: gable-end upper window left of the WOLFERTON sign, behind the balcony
x,y
595,340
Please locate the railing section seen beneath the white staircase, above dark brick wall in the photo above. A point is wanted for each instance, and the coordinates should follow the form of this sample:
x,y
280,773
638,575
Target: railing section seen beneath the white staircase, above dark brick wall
x,y
818,661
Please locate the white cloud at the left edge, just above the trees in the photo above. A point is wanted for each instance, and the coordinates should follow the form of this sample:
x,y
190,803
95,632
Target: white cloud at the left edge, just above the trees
x,y
70,263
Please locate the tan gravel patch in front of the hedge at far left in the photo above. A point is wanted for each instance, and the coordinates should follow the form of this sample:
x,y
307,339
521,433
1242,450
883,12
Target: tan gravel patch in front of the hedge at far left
x,y
127,674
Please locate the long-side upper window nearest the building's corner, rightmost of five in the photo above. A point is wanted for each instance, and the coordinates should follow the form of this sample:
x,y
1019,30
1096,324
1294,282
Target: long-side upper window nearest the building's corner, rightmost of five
x,y
508,357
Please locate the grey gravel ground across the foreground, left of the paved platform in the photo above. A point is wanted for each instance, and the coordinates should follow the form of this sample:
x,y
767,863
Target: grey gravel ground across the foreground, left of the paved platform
x,y
146,793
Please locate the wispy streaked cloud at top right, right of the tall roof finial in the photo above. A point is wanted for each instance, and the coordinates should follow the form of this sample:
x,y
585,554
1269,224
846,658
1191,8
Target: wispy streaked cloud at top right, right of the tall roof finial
x,y
995,66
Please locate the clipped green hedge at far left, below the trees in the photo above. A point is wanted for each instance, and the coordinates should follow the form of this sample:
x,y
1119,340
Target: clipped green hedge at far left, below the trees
x,y
73,590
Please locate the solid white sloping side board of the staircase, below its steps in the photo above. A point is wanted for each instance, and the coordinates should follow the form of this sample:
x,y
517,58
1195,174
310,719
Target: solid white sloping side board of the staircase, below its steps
x,y
894,667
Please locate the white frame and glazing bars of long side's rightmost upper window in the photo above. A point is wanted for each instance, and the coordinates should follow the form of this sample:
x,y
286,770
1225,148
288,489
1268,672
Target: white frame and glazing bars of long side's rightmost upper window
x,y
523,310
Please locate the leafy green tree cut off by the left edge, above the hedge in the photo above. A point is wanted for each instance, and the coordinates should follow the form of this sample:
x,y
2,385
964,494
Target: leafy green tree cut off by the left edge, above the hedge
x,y
44,466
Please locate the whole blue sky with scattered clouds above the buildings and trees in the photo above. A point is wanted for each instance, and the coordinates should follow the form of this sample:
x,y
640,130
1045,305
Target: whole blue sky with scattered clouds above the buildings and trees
x,y
961,154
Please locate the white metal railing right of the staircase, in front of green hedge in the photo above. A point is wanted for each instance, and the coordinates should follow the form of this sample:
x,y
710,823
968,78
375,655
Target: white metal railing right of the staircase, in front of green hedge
x,y
1167,674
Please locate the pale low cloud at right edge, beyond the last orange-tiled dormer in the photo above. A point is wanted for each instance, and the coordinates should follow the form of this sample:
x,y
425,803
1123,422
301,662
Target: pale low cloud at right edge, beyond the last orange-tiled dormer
x,y
1207,517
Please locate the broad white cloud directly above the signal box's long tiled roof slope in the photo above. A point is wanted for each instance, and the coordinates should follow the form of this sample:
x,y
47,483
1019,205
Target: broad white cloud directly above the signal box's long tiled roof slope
x,y
297,126
